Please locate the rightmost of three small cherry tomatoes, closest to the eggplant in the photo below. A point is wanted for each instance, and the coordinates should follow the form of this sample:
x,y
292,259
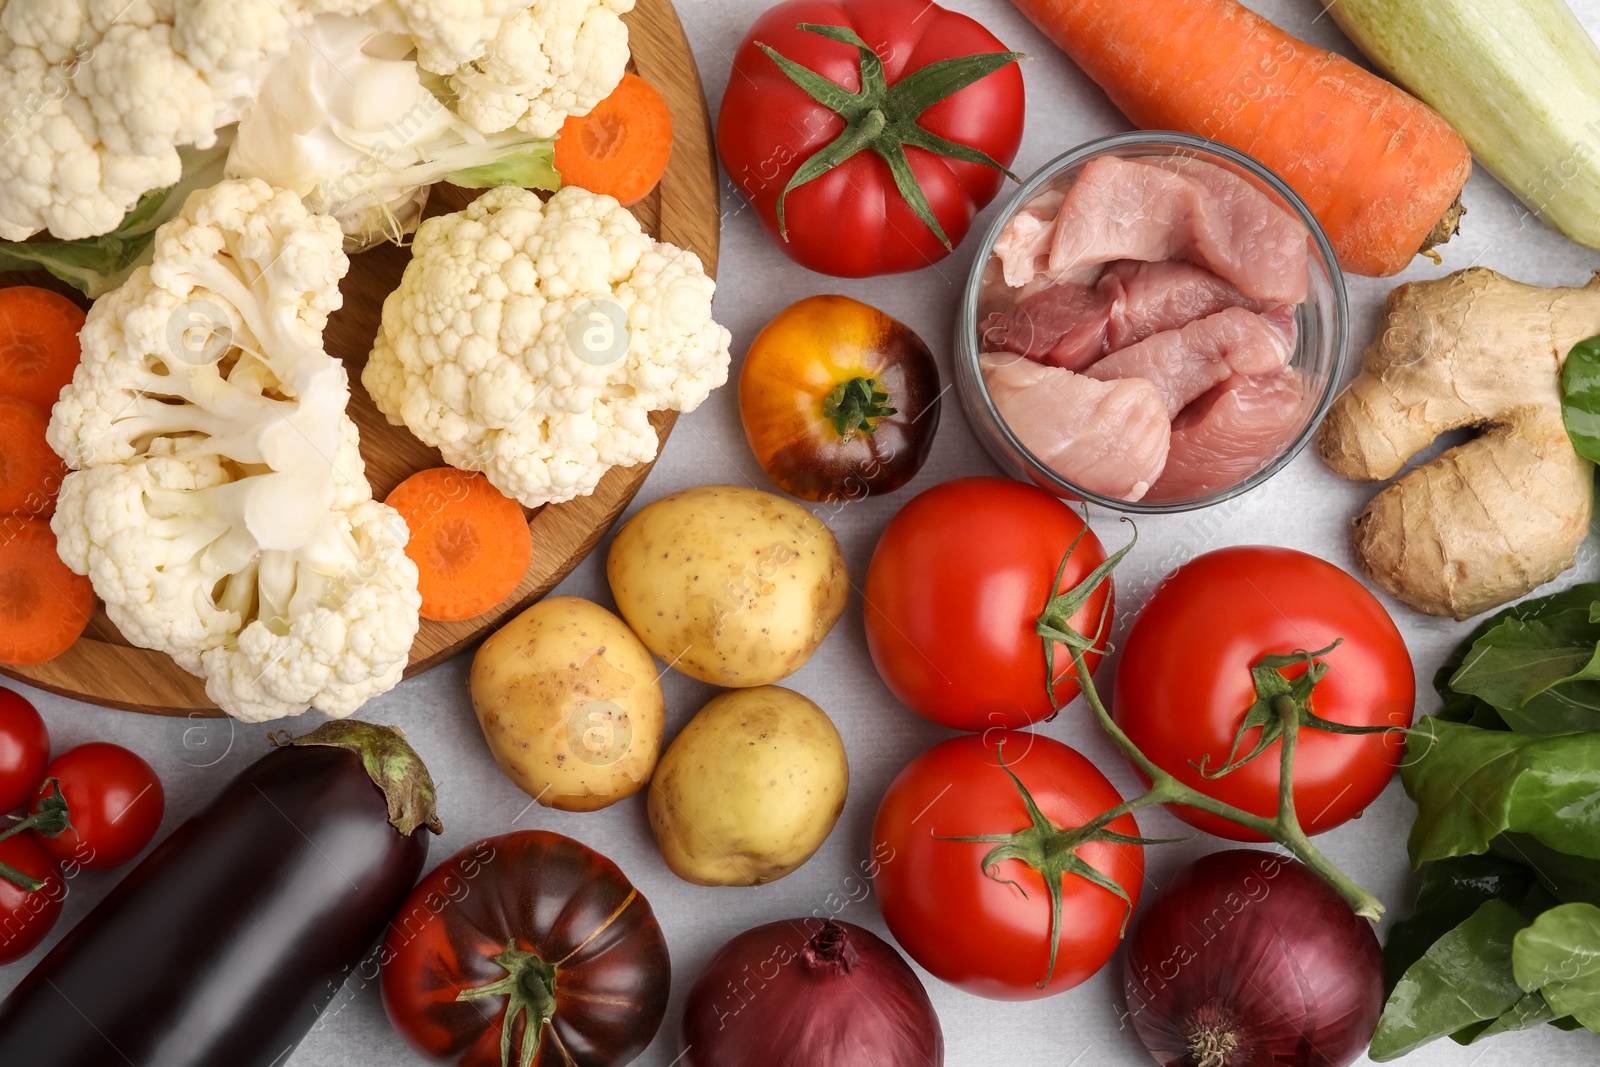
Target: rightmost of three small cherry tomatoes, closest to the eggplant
x,y
114,802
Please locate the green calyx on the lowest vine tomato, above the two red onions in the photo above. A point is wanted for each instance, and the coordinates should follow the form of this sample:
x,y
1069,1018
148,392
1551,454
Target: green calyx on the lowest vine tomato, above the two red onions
x,y
1054,853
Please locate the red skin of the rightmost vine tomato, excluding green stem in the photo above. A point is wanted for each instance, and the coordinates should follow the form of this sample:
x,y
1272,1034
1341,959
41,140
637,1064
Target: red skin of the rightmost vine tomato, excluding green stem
x,y
1185,685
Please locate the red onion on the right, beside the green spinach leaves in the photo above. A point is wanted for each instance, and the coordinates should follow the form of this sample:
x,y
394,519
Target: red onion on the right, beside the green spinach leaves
x,y
1252,961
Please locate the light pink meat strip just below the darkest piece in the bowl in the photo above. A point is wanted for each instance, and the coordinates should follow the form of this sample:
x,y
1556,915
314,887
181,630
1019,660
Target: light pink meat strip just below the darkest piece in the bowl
x,y
1185,364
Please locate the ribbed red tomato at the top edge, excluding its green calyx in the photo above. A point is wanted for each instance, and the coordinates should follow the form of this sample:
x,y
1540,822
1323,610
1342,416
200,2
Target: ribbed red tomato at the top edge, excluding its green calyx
x,y
854,222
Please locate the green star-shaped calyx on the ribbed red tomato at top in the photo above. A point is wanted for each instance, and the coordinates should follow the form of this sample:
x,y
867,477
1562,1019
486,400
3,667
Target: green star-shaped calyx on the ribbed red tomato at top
x,y
884,118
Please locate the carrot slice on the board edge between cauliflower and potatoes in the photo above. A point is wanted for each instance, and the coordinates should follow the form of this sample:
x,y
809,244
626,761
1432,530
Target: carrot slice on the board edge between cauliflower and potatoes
x,y
470,541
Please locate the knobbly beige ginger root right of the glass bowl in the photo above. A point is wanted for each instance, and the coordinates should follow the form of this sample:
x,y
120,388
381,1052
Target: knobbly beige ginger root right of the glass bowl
x,y
1497,518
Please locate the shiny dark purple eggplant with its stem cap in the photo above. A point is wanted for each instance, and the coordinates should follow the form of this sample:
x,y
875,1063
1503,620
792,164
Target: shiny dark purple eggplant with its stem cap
x,y
231,938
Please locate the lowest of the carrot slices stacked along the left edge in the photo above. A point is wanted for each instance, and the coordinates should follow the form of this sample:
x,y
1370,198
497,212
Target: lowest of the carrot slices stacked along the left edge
x,y
44,607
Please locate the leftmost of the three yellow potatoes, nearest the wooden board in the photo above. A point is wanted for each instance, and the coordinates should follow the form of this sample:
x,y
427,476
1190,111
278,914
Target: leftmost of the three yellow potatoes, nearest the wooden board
x,y
570,703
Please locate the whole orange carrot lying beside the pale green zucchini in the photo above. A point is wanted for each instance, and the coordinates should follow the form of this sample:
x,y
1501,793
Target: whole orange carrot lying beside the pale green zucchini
x,y
1380,170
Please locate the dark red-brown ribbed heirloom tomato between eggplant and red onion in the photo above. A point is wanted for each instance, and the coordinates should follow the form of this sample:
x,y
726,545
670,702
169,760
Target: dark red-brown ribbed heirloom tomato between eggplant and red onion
x,y
524,938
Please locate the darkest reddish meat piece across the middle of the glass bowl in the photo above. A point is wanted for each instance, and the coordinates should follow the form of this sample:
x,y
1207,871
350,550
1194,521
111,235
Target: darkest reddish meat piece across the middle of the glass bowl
x,y
1073,326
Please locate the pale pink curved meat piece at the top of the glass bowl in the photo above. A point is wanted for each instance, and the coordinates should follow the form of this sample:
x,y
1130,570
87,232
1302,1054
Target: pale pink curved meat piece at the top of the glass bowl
x,y
1182,209
